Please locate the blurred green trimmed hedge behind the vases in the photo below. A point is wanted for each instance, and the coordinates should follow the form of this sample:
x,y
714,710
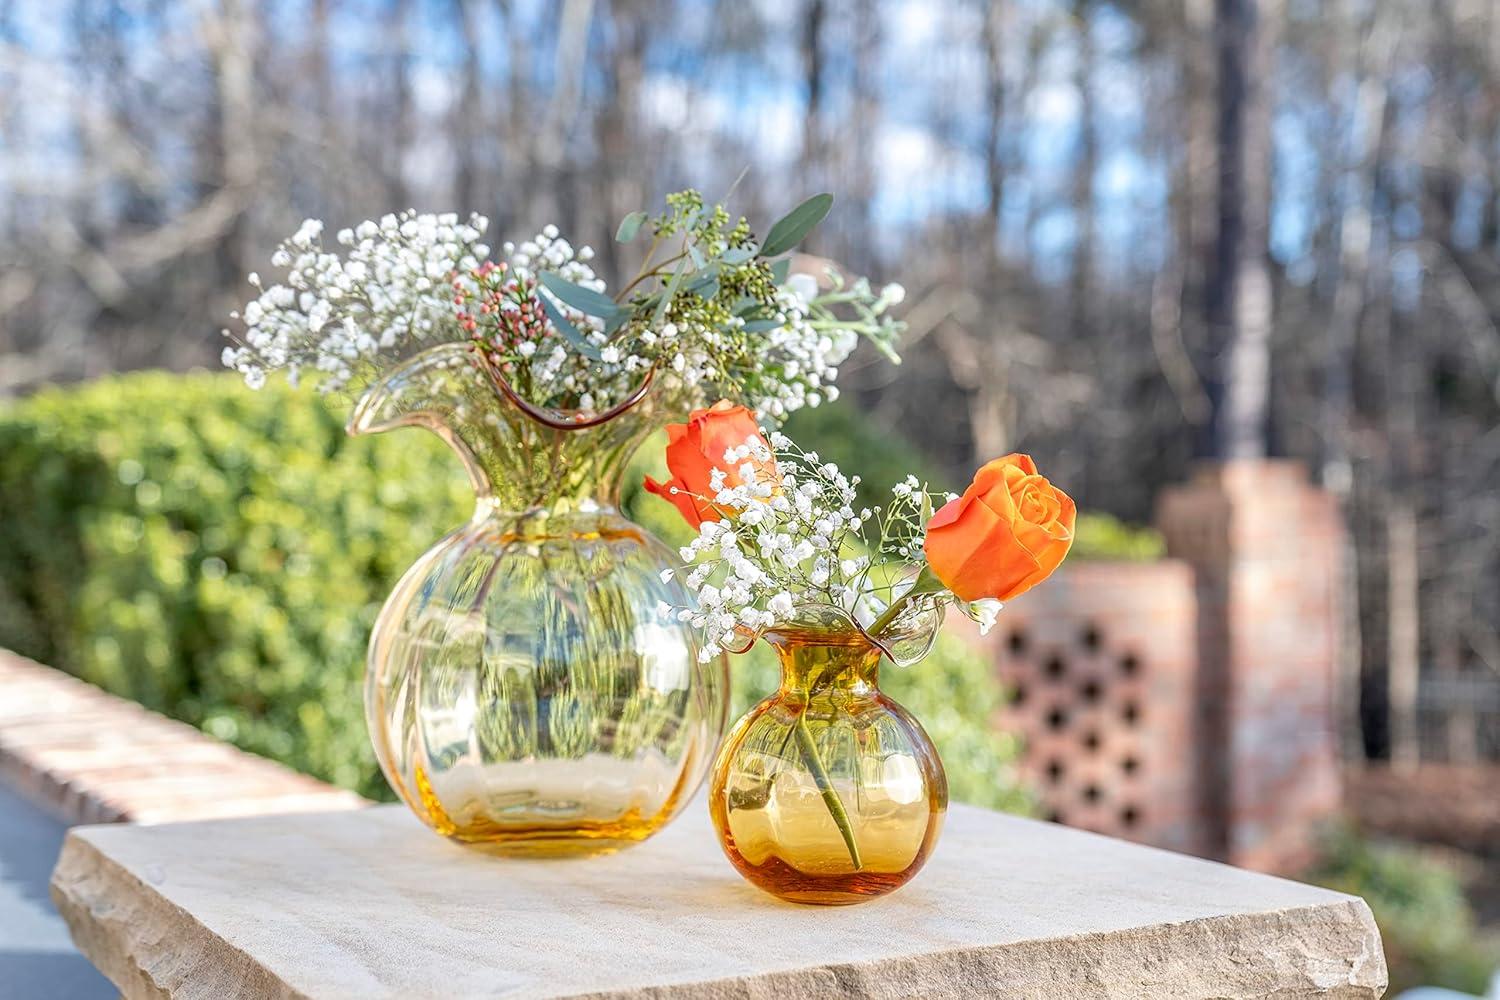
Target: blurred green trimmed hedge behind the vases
x,y
220,555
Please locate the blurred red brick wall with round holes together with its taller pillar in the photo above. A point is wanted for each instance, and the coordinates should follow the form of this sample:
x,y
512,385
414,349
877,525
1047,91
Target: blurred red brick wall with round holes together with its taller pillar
x,y
1189,704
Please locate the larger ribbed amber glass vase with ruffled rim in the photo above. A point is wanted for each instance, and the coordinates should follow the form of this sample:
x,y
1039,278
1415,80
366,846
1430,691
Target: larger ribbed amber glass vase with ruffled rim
x,y
524,690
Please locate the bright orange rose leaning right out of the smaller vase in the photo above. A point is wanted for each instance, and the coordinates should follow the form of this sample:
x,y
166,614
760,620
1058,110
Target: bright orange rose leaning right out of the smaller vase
x,y
1006,534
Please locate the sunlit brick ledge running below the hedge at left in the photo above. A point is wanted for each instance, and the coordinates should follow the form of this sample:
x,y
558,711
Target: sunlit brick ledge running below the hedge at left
x,y
94,758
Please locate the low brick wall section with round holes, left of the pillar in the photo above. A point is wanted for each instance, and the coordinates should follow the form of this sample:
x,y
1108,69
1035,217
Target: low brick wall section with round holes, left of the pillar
x,y
1102,665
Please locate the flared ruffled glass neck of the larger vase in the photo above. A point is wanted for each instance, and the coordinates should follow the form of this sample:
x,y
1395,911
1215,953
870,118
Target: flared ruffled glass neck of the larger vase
x,y
515,461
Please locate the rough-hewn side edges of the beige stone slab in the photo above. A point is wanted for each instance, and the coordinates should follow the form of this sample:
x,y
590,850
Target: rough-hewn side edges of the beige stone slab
x,y
202,963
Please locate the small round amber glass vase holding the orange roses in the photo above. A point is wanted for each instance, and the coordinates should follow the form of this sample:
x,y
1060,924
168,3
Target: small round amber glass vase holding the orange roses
x,y
829,792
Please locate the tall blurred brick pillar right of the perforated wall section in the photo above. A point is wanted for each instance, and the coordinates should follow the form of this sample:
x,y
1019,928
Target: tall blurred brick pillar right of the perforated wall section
x,y
1265,546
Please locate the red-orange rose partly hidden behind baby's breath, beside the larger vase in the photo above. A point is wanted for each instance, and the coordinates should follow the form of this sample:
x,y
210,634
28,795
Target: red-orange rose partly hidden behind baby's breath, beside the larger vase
x,y
694,451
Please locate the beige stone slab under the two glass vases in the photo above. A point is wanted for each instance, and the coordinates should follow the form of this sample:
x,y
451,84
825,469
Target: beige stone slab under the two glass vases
x,y
371,905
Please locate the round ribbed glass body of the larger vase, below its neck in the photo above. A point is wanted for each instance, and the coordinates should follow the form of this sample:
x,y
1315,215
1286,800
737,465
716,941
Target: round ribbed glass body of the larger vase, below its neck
x,y
524,693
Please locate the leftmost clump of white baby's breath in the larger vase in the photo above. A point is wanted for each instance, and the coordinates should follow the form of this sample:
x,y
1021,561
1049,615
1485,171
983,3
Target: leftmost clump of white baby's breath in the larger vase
x,y
347,316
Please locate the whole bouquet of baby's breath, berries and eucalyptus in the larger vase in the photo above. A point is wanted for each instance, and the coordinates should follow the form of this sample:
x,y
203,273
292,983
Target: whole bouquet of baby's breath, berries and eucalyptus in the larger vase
x,y
713,311
